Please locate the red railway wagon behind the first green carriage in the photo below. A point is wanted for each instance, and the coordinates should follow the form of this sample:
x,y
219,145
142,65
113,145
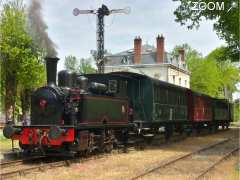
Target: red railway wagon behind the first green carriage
x,y
199,107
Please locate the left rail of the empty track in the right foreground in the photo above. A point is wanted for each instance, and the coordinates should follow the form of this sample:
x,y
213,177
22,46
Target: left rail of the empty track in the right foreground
x,y
171,161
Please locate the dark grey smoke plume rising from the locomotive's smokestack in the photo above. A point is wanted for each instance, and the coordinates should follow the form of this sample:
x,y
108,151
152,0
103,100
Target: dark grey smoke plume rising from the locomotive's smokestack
x,y
38,28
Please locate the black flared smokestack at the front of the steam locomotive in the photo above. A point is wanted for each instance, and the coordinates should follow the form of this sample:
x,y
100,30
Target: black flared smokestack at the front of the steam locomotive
x,y
51,66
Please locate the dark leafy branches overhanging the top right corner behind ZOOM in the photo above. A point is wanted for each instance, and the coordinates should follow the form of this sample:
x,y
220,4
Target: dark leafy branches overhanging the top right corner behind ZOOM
x,y
226,21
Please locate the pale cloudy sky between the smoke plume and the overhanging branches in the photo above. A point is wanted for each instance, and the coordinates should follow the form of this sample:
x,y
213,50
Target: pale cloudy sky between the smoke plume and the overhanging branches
x,y
77,35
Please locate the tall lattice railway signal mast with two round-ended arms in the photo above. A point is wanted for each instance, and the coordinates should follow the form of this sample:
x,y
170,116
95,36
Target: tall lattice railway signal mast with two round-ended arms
x,y
100,14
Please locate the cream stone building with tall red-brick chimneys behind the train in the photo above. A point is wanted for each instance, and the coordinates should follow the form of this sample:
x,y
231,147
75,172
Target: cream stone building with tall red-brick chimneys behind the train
x,y
151,61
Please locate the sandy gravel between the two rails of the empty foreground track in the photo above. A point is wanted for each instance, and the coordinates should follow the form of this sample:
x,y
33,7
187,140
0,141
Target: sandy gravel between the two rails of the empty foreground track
x,y
192,166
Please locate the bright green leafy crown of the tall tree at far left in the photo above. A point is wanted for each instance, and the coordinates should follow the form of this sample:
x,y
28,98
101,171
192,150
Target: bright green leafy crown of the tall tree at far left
x,y
16,45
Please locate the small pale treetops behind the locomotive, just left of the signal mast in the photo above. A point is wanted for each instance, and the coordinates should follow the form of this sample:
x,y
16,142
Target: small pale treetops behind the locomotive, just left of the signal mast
x,y
82,66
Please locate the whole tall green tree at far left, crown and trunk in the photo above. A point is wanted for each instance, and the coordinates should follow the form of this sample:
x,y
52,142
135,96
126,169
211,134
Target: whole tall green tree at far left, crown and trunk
x,y
20,65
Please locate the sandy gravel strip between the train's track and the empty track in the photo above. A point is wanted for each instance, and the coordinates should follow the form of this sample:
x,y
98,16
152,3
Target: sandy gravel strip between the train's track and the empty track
x,y
126,166
